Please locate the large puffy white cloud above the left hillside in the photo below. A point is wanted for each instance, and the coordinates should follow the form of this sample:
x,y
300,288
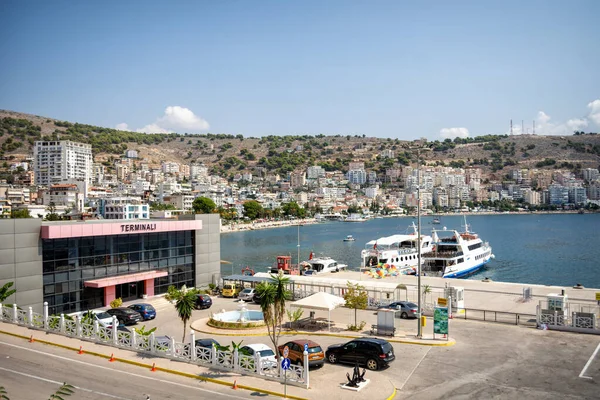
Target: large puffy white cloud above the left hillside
x,y
175,119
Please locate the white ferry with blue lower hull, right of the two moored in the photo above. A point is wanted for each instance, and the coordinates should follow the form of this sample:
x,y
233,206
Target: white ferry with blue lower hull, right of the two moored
x,y
456,254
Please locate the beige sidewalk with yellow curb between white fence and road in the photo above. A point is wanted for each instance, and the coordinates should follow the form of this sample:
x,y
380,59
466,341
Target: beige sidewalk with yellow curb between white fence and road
x,y
320,381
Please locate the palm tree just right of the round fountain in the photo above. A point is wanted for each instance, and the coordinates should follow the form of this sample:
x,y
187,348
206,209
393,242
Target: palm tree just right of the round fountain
x,y
273,295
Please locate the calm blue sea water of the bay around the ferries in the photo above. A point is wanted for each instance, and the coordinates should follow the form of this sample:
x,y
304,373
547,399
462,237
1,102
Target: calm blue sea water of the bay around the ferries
x,y
548,249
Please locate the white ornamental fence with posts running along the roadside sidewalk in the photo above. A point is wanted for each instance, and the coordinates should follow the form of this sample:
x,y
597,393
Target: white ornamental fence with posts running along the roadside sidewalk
x,y
231,361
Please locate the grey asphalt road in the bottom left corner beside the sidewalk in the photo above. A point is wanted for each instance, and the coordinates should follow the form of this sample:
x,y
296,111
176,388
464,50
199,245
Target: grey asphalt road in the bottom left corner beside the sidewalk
x,y
32,374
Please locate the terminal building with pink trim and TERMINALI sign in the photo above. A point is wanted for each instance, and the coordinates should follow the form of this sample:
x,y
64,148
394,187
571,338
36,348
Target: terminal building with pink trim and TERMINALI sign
x,y
80,265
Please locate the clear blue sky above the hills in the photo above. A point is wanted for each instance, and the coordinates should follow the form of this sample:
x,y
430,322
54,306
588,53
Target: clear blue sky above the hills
x,y
394,69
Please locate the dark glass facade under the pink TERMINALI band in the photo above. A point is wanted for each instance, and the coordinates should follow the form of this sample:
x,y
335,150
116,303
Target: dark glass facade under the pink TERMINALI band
x,y
68,263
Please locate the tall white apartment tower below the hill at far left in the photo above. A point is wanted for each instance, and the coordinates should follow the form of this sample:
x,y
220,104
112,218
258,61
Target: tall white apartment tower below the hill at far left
x,y
56,162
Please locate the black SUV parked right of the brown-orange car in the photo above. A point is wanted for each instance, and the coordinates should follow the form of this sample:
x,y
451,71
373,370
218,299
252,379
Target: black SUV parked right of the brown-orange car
x,y
374,353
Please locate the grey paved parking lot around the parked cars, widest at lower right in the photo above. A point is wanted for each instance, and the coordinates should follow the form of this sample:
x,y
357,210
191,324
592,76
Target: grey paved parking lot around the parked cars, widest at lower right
x,y
488,360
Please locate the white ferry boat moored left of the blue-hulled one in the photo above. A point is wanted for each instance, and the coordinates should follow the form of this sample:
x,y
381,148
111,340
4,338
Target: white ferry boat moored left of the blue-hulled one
x,y
400,251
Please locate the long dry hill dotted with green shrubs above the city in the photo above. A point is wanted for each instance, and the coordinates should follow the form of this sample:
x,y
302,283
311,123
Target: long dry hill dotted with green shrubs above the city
x,y
230,154
